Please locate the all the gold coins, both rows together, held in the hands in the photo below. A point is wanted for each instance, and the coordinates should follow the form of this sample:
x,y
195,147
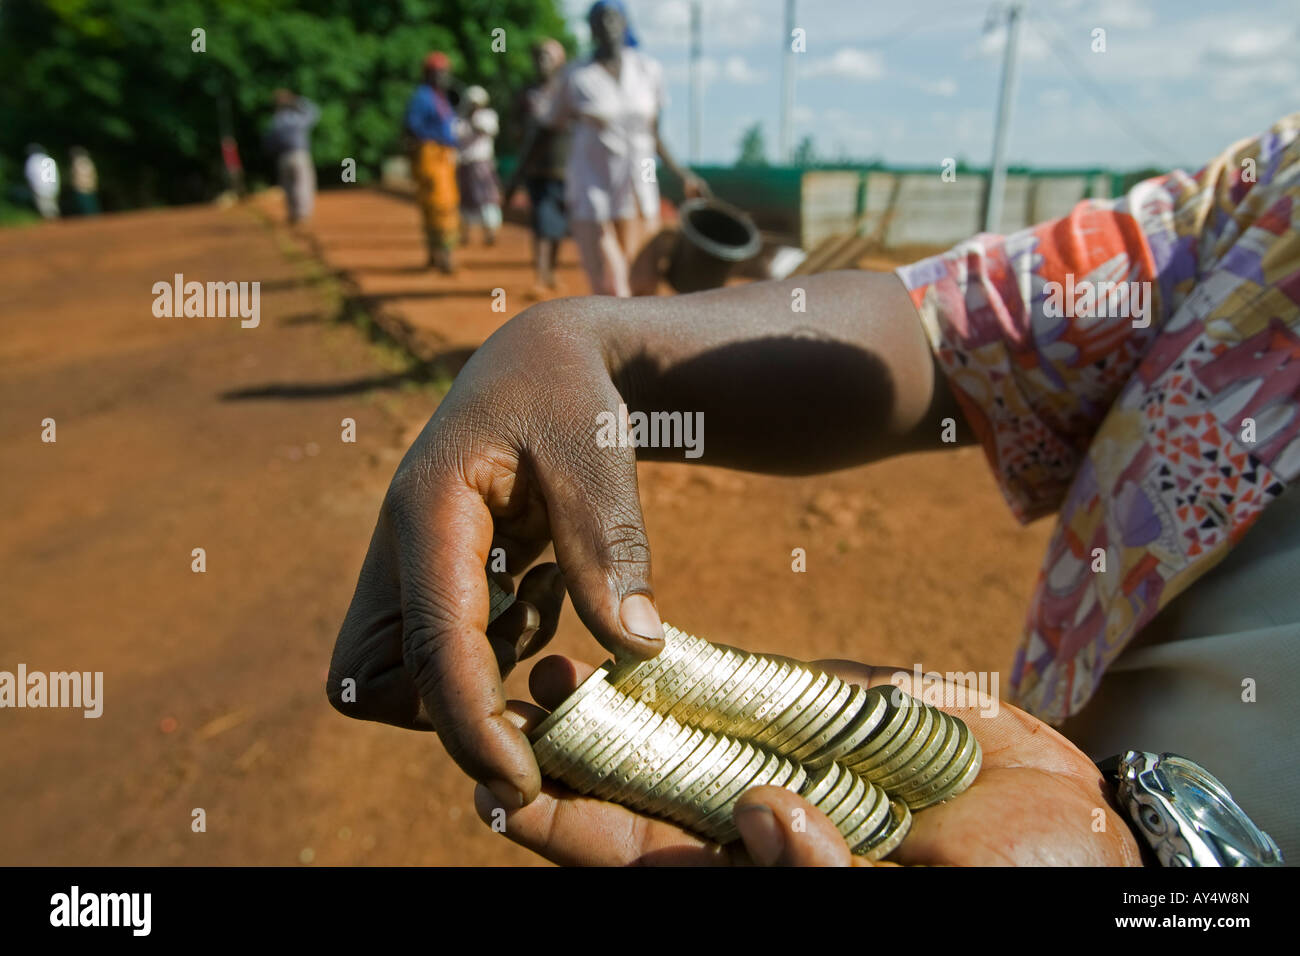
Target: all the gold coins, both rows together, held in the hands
x,y
686,734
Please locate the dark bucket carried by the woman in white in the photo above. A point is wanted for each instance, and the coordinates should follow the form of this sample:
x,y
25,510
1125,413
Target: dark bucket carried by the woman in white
x,y
712,239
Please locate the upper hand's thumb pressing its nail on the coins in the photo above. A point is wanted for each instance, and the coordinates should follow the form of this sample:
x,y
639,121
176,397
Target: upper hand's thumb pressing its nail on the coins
x,y
600,535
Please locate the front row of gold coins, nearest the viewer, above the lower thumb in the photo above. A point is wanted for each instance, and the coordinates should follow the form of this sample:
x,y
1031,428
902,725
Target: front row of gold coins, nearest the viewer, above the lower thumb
x,y
609,745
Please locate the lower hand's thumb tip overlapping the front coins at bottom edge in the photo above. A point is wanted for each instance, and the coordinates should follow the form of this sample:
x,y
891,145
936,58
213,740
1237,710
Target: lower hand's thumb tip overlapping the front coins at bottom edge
x,y
782,829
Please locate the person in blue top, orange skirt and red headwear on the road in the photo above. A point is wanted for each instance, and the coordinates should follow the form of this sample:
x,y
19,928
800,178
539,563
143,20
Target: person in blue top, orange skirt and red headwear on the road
x,y
431,126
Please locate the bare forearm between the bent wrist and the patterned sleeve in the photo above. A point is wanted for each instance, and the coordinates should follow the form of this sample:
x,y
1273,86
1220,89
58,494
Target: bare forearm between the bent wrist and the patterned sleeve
x,y
850,380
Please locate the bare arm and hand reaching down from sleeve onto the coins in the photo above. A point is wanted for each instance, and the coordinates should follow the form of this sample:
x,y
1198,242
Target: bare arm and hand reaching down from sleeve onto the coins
x,y
510,461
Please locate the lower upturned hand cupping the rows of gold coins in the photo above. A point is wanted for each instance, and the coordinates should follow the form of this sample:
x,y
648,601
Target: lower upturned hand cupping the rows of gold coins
x,y
1038,802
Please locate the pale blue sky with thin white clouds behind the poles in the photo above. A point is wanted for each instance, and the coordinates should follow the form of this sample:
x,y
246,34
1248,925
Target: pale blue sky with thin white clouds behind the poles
x,y
917,81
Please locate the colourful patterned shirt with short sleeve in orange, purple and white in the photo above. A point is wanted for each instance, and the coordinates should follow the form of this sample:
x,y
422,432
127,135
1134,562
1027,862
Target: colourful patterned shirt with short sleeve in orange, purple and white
x,y
1160,435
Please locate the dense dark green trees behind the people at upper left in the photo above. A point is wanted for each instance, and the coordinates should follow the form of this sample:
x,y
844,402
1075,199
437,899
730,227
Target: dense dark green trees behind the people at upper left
x,y
122,79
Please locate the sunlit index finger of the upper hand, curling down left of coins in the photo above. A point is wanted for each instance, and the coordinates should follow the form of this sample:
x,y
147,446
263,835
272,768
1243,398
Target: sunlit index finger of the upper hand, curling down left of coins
x,y
444,534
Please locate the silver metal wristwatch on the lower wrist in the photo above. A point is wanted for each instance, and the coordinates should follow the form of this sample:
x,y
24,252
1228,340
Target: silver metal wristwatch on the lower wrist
x,y
1185,815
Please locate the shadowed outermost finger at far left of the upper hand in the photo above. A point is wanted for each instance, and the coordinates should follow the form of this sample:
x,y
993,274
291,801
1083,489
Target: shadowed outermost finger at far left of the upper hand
x,y
367,676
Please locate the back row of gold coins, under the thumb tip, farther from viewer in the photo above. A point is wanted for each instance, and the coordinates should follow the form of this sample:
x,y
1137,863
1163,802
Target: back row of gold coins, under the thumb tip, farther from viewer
x,y
913,751
